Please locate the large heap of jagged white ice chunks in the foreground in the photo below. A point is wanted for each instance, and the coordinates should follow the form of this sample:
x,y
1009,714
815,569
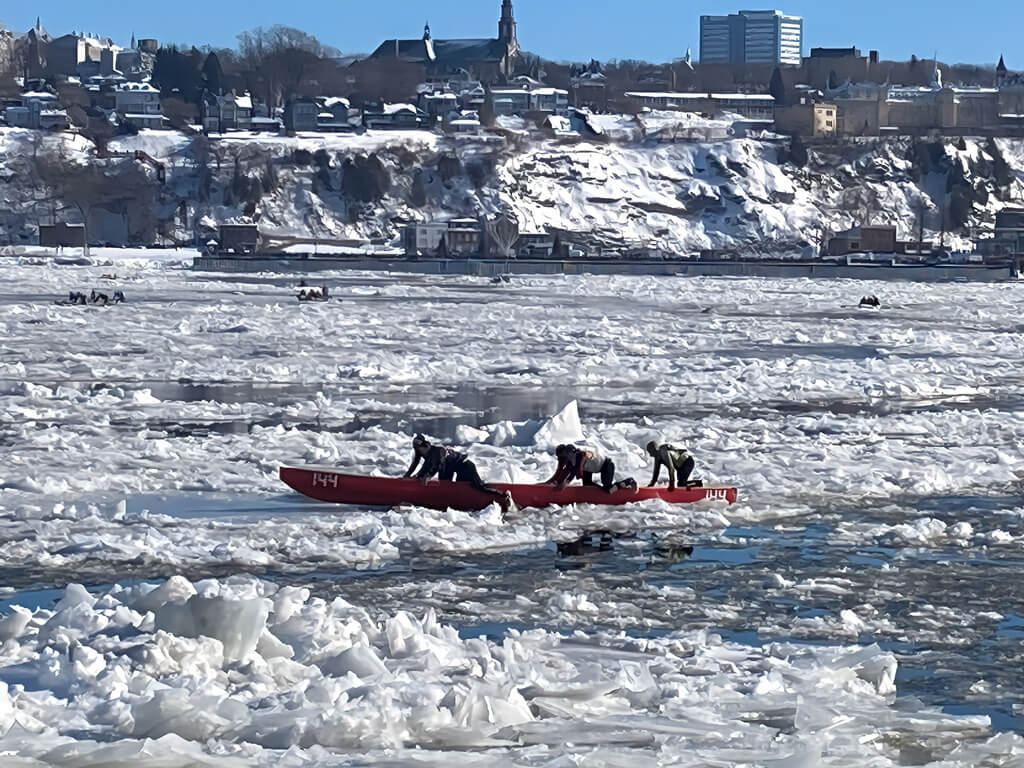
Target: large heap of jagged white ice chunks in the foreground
x,y
241,670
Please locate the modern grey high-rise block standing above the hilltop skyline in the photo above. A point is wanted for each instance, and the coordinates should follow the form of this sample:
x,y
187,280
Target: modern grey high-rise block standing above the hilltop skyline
x,y
752,37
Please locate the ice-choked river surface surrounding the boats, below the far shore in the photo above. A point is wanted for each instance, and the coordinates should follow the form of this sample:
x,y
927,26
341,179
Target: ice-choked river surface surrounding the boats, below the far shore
x,y
166,602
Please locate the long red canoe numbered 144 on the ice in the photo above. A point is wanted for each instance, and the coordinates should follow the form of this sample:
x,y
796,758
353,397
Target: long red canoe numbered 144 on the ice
x,y
328,486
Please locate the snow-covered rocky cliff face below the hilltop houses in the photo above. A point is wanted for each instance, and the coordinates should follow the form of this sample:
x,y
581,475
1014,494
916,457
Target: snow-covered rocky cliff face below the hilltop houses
x,y
634,185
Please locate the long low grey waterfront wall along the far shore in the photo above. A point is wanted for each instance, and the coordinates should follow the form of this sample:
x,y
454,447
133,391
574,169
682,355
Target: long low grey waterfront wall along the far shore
x,y
493,268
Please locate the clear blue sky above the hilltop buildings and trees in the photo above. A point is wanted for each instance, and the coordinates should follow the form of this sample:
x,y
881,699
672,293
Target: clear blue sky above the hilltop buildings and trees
x,y
574,30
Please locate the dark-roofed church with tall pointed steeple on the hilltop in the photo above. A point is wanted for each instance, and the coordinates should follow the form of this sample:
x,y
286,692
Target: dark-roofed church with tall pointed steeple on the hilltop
x,y
489,60
